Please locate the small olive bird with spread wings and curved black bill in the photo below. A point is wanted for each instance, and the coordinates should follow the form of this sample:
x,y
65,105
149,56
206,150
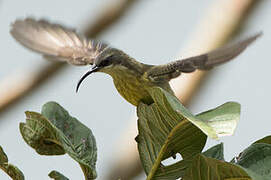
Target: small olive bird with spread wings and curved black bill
x,y
132,79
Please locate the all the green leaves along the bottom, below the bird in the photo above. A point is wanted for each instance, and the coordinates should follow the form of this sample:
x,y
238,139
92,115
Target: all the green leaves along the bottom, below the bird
x,y
166,128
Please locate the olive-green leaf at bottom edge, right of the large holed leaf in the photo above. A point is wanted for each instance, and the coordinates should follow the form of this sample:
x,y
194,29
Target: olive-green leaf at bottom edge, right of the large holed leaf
x,y
204,168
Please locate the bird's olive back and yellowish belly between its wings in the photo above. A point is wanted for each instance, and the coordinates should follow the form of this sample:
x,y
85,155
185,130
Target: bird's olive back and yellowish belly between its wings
x,y
131,80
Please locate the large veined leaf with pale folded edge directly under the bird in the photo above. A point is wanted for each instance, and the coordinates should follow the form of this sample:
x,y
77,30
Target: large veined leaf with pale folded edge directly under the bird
x,y
166,127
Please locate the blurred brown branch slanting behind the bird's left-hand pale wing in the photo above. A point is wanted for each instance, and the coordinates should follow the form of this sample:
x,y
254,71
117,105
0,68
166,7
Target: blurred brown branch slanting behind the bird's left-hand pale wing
x,y
21,84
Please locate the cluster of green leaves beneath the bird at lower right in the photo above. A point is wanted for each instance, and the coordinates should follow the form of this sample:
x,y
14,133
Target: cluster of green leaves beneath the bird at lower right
x,y
166,127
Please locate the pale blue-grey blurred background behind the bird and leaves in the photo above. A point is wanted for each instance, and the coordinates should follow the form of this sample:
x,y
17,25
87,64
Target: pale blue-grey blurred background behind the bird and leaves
x,y
153,32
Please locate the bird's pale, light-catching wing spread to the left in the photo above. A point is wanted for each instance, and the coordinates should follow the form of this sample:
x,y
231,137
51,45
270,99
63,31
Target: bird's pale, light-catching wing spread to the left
x,y
56,41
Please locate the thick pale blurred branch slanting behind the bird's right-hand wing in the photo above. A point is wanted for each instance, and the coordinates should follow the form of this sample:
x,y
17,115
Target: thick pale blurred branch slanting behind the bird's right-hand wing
x,y
223,22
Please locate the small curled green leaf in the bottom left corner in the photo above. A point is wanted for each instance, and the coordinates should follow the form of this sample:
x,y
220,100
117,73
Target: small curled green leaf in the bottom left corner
x,y
10,169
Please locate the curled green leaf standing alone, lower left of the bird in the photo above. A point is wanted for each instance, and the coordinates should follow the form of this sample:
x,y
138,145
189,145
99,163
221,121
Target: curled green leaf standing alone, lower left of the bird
x,y
55,132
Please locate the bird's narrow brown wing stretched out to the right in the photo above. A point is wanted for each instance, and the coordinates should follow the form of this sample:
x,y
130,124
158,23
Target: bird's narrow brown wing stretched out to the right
x,y
202,62
